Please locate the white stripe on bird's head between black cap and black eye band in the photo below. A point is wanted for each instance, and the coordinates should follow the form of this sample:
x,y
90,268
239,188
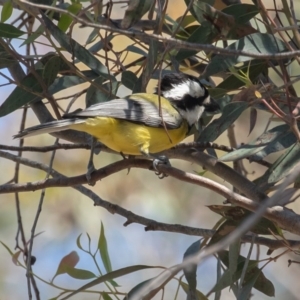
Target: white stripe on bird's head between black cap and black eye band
x,y
188,87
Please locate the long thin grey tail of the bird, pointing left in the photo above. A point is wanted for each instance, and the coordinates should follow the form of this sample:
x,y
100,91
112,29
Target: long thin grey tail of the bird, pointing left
x,y
49,127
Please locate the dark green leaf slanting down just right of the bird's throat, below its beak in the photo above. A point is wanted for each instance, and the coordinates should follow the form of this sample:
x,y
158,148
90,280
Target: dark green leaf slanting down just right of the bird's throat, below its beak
x,y
229,115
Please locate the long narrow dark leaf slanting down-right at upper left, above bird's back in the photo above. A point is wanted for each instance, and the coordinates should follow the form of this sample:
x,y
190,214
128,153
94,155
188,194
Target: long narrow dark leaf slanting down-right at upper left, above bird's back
x,y
76,49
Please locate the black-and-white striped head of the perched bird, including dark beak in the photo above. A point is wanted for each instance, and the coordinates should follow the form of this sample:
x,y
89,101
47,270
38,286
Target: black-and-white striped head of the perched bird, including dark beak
x,y
188,95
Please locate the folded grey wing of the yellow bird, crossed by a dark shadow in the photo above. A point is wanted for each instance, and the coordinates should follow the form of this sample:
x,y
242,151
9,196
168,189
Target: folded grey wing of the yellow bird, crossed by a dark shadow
x,y
137,110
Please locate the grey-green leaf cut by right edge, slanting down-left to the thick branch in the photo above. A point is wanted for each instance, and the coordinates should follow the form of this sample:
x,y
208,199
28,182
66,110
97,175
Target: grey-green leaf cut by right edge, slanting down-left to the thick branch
x,y
281,167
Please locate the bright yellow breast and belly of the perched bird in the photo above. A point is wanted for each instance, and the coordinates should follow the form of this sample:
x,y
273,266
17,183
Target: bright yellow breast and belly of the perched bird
x,y
132,138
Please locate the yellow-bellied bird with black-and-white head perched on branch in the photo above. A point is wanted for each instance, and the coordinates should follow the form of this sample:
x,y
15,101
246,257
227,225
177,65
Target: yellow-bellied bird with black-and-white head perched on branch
x,y
142,123
